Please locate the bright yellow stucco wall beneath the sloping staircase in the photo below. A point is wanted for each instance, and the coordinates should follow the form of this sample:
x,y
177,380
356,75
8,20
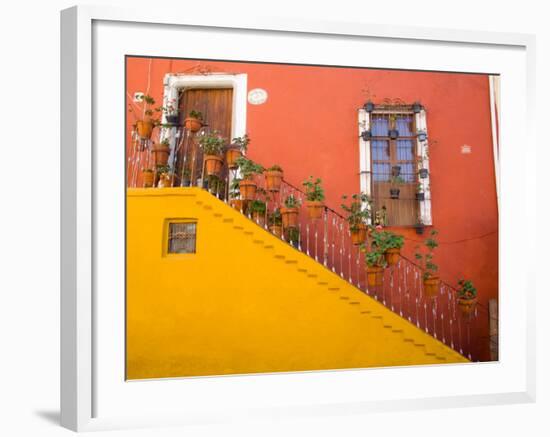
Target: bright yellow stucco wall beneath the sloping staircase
x,y
247,302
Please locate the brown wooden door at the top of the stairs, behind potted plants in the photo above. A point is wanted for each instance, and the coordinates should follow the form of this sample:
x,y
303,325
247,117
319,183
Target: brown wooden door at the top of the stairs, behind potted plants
x,y
215,104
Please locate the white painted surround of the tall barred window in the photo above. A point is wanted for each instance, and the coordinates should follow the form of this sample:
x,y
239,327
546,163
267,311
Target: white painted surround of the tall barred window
x,y
365,166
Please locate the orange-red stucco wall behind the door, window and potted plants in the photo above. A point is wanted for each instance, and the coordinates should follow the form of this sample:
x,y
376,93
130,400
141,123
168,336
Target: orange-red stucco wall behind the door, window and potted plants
x,y
309,126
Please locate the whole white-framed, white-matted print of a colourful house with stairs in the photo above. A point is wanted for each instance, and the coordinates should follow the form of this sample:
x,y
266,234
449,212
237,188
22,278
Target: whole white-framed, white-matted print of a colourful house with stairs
x,y
270,218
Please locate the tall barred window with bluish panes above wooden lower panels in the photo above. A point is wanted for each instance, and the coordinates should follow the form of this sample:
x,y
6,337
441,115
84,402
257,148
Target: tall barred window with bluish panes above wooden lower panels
x,y
394,179
